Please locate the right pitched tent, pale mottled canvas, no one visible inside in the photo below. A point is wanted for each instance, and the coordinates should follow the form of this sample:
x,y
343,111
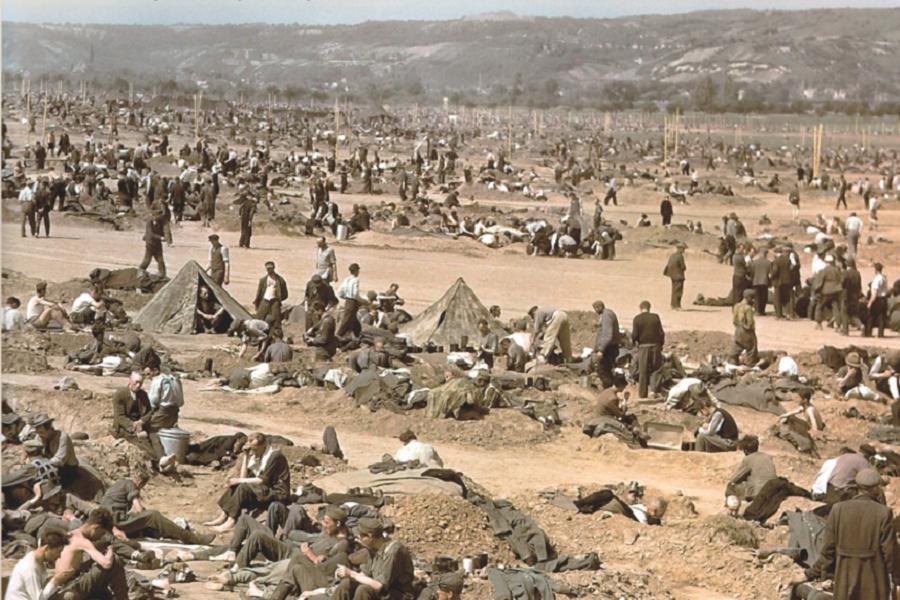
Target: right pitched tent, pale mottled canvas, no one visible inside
x,y
443,323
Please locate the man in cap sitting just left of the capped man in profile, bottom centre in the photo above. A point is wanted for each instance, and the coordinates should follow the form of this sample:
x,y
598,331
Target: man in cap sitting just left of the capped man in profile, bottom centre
x,y
314,565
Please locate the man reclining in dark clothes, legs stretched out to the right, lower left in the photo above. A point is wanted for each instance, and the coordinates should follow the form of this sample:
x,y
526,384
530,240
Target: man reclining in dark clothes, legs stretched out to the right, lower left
x,y
123,500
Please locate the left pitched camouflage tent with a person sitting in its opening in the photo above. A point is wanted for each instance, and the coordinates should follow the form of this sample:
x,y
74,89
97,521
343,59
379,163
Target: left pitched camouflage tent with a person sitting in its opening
x,y
173,308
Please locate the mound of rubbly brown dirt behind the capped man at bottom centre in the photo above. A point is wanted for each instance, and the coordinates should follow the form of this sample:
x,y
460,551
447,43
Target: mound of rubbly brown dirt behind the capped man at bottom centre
x,y
438,525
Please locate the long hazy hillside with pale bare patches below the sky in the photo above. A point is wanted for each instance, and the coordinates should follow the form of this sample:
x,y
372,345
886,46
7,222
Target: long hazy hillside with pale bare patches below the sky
x,y
852,52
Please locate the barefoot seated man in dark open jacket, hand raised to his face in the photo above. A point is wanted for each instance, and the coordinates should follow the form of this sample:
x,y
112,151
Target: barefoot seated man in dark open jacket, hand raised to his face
x,y
265,477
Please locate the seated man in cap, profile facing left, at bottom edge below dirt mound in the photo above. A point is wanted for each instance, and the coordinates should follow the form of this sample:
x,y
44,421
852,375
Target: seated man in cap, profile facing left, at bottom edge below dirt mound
x,y
388,574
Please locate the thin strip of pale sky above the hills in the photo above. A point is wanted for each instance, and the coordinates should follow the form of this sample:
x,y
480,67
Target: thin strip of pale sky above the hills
x,y
322,12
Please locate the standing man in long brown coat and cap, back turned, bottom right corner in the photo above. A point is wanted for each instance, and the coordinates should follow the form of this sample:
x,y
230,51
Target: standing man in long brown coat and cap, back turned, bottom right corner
x,y
859,545
